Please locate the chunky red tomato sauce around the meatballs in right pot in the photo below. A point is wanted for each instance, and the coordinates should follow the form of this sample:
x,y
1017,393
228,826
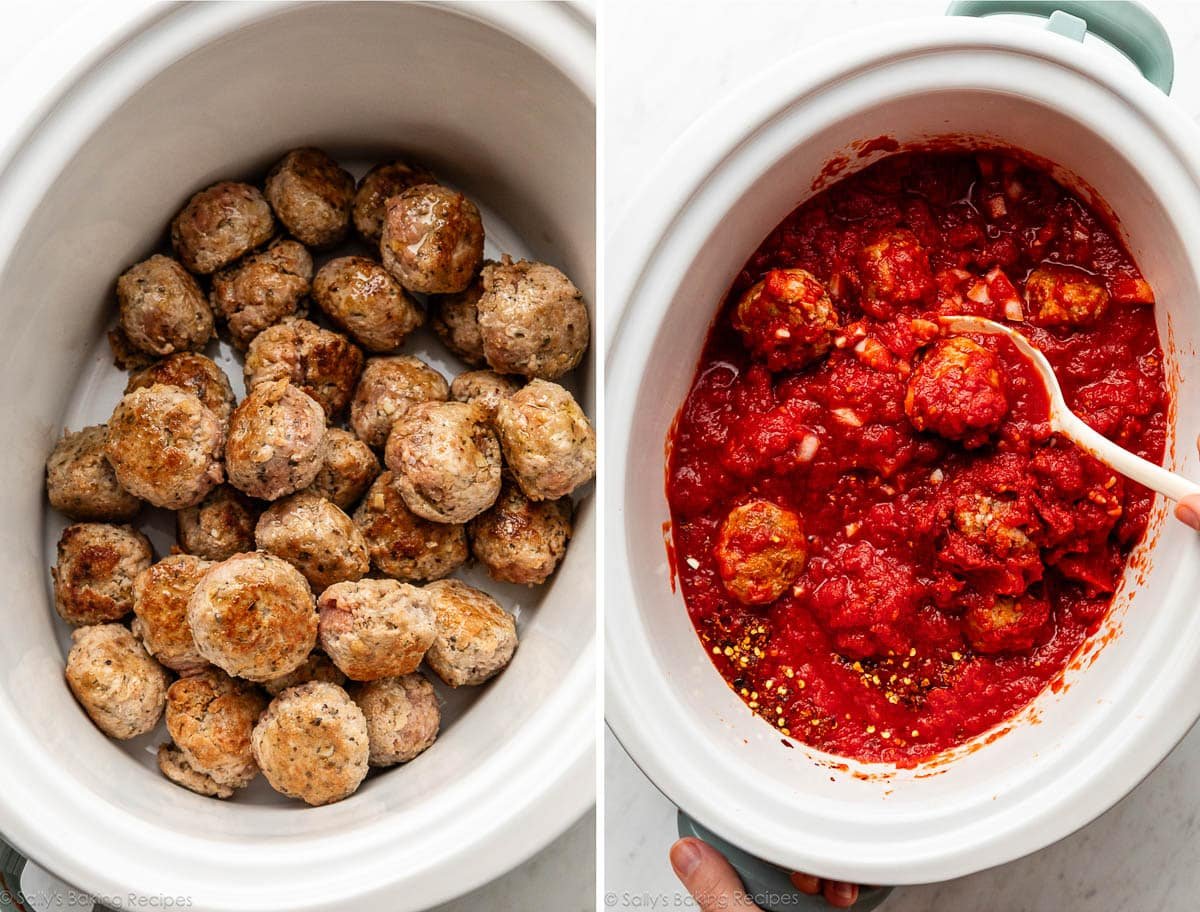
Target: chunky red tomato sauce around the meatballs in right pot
x,y
871,653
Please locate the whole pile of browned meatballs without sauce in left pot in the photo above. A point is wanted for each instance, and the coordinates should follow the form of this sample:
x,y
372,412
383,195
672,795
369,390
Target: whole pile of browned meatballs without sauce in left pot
x,y
287,631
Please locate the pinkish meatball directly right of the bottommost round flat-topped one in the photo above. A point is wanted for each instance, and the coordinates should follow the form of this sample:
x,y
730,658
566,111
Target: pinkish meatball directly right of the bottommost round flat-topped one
x,y
403,718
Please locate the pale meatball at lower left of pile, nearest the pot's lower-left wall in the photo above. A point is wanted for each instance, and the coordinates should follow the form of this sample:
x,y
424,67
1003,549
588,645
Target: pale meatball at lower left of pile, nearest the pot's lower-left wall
x,y
116,681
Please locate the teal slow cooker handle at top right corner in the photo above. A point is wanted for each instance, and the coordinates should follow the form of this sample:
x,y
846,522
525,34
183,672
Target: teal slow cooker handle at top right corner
x,y
1129,27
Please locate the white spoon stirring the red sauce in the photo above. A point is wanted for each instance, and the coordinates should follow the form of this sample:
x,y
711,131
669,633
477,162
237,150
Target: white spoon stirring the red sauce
x,y
1072,427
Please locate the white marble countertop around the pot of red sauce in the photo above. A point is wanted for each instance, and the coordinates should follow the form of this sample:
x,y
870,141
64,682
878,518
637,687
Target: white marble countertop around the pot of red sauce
x,y
665,63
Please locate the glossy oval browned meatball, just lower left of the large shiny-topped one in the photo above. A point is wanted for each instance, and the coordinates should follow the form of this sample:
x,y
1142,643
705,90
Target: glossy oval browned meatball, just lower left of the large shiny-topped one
x,y
363,299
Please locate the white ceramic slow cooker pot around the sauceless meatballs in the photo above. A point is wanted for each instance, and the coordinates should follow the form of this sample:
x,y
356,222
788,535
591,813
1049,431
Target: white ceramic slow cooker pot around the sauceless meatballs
x,y
497,99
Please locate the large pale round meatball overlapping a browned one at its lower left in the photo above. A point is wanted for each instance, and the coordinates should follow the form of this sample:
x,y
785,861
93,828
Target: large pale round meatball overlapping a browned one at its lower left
x,y
447,461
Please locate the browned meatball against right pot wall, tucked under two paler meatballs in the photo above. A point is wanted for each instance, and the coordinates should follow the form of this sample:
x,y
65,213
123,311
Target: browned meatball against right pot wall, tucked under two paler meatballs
x,y
520,541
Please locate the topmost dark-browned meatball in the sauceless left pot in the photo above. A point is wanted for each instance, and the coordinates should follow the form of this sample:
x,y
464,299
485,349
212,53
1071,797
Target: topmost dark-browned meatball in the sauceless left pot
x,y
313,196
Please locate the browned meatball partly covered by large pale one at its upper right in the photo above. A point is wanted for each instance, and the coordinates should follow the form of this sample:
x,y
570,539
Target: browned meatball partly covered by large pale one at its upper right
x,y
404,545
